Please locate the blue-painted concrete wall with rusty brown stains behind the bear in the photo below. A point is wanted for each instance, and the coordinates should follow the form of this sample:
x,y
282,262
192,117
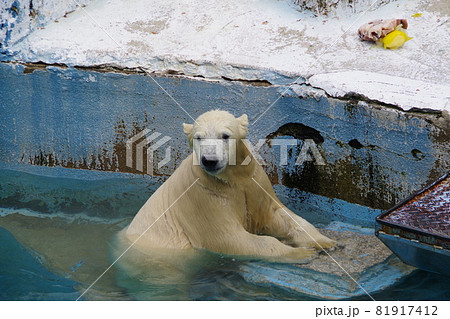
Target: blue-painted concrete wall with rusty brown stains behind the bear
x,y
81,118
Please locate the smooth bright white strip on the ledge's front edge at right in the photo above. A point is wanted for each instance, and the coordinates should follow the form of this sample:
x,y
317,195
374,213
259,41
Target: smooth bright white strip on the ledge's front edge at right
x,y
405,93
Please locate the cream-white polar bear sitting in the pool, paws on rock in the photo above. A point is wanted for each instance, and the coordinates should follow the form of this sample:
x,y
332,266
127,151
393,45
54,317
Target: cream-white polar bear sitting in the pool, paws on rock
x,y
219,201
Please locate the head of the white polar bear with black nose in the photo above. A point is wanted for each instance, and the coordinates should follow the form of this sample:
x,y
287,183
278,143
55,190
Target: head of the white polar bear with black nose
x,y
214,138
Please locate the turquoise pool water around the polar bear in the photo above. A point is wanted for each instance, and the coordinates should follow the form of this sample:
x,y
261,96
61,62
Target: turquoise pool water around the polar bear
x,y
56,230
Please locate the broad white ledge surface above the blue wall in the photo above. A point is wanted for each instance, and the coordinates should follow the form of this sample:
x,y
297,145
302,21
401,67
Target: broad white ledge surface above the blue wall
x,y
249,40
